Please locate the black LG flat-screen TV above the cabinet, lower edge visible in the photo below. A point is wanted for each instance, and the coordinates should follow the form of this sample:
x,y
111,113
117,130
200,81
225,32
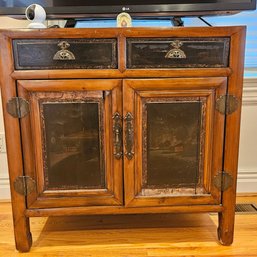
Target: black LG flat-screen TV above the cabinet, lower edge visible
x,y
136,8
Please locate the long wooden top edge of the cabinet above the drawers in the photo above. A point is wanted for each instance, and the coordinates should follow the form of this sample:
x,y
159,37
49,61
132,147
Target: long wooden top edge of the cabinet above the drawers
x,y
114,32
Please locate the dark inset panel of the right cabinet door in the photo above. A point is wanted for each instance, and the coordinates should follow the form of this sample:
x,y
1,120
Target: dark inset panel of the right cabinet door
x,y
172,144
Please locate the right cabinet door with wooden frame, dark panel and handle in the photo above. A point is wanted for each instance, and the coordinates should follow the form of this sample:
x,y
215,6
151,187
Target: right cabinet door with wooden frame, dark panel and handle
x,y
173,136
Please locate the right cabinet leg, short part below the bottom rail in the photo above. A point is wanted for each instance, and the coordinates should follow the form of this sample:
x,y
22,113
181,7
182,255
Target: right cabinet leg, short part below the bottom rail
x,y
226,227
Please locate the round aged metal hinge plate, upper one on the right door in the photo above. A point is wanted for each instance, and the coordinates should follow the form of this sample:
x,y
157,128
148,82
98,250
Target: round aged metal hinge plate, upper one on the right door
x,y
227,104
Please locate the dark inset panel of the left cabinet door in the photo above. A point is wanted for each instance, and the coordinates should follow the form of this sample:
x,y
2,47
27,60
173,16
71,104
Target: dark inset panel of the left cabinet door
x,y
70,142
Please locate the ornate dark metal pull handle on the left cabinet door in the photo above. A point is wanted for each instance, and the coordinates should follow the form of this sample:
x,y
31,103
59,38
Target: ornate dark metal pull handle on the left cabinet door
x,y
117,135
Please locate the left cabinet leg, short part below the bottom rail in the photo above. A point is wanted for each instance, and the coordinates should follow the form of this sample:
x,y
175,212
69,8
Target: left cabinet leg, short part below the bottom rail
x,y
23,238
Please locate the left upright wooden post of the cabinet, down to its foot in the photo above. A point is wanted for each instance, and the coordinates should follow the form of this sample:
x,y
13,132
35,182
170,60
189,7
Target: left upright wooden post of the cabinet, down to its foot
x,y
14,149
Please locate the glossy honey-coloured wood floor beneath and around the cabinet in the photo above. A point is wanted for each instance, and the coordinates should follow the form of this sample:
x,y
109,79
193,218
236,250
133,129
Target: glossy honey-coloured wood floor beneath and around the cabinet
x,y
161,235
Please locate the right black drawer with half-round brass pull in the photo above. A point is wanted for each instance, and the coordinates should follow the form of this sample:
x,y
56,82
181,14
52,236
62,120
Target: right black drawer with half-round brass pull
x,y
177,53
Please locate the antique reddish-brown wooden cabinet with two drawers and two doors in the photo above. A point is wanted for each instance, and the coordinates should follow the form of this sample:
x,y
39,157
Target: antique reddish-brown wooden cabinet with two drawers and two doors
x,y
120,121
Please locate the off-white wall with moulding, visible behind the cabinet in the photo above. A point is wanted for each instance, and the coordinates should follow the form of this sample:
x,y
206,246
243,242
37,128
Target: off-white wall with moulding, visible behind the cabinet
x,y
247,177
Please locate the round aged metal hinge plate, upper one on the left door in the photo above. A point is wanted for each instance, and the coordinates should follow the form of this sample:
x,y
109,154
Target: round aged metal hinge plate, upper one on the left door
x,y
18,107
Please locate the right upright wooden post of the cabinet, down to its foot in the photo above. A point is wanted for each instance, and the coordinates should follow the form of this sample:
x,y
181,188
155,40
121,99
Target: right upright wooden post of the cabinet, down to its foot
x,y
235,86
